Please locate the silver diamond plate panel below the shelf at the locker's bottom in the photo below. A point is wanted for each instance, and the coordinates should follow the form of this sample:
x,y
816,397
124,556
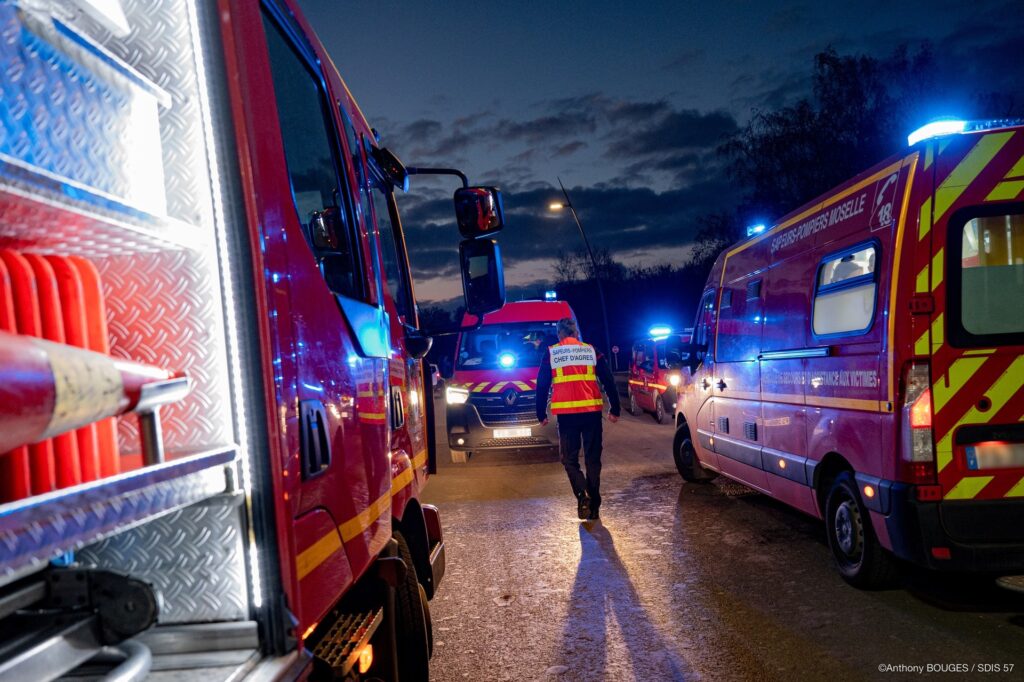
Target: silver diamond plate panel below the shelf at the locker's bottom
x,y
193,557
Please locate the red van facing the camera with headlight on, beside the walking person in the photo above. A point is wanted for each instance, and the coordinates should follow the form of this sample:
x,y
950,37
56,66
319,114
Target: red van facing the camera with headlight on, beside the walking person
x,y
492,396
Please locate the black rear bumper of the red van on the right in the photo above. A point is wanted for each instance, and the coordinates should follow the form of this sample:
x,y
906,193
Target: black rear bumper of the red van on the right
x,y
983,536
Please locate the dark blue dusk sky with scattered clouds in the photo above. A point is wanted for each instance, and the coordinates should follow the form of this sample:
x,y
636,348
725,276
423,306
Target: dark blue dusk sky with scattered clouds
x,y
626,102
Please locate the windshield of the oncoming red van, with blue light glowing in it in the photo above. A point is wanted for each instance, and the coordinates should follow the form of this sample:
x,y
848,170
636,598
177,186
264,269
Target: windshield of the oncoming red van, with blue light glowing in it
x,y
506,347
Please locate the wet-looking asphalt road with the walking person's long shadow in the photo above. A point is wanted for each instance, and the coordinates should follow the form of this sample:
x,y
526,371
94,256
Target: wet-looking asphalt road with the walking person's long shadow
x,y
678,582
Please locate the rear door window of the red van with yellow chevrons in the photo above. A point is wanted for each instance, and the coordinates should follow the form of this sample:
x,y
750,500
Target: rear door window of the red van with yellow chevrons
x,y
993,276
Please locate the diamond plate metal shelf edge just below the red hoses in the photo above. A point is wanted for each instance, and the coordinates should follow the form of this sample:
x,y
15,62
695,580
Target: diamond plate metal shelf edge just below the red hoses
x,y
34,531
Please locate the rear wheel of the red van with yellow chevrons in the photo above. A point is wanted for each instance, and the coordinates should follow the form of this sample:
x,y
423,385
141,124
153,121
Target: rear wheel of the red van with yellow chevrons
x,y
861,559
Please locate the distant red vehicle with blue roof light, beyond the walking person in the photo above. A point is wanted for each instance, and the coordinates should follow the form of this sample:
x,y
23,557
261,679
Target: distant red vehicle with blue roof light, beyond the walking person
x,y
656,372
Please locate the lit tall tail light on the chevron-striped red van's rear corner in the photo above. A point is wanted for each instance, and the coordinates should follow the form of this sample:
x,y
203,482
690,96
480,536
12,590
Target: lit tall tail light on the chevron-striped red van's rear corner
x,y
918,452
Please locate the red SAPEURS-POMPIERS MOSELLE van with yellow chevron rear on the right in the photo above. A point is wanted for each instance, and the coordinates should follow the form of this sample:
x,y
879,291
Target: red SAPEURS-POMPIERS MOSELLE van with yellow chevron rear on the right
x,y
864,361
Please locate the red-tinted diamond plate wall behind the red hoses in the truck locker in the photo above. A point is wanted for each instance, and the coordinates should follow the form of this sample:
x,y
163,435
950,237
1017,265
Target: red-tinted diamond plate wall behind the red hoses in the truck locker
x,y
164,310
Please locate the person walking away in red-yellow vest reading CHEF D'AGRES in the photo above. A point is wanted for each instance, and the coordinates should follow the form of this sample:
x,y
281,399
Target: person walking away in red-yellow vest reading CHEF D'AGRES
x,y
576,373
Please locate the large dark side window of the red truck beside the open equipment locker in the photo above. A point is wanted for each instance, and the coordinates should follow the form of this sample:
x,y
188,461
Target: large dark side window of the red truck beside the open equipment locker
x,y
313,168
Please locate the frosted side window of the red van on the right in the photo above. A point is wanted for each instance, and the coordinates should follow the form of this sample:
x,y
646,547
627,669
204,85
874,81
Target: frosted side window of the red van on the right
x,y
845,292
